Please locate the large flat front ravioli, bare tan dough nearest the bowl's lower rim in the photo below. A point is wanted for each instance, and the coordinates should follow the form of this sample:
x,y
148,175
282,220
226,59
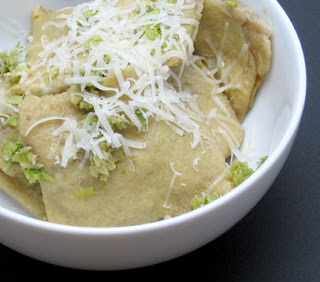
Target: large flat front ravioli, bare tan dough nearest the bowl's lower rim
x,y
128,197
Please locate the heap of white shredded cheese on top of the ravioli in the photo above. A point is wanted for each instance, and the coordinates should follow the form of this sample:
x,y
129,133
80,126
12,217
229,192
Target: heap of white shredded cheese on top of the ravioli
x,y
104,38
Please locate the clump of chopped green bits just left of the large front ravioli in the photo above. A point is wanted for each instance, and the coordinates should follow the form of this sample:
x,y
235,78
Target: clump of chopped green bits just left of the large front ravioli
x,y
15,152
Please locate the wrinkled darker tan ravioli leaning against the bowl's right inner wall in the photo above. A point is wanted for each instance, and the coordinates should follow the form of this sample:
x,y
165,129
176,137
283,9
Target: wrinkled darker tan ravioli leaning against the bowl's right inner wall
x,y
237,42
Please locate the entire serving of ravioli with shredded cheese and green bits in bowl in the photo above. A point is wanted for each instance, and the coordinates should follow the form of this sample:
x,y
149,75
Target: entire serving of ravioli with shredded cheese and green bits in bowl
x,y
120,113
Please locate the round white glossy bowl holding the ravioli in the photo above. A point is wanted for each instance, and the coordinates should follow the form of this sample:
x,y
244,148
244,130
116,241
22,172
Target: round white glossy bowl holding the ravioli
x,y
274,122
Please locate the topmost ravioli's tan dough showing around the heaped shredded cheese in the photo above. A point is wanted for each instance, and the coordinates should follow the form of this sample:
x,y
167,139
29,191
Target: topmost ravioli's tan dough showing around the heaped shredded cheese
x,y
50,65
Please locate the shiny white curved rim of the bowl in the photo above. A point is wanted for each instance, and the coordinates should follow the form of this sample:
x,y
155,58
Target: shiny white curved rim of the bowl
x,y
287,137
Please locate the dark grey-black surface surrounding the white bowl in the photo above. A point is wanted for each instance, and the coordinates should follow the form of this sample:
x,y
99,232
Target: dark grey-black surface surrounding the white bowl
x,y
279,240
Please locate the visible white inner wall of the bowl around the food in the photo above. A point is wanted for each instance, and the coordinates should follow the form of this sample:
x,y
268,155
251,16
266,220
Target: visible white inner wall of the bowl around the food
x,y
272,122
